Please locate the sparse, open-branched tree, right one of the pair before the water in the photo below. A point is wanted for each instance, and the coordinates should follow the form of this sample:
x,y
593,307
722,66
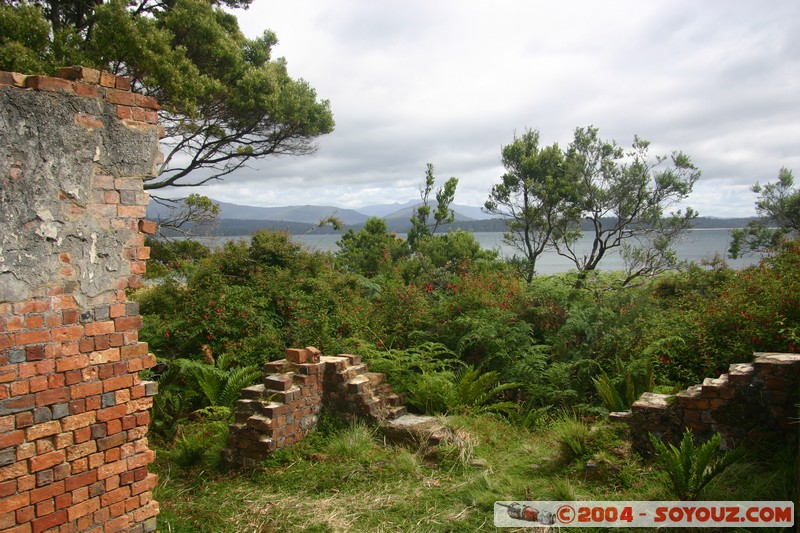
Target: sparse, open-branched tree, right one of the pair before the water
x,y
623,199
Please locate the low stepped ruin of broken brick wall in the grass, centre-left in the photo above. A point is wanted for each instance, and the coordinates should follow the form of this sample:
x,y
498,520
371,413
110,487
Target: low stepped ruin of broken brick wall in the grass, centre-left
x,y
286,405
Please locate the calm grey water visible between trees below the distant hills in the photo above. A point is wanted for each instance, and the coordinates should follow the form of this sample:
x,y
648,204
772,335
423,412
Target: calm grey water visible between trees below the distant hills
x,y
698,244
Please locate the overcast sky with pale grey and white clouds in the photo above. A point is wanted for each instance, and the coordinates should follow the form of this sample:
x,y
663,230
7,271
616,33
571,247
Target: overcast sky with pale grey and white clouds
x,y
450,82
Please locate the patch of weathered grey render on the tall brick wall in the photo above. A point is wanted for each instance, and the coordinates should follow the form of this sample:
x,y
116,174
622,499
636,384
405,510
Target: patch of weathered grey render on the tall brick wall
x,y
49,193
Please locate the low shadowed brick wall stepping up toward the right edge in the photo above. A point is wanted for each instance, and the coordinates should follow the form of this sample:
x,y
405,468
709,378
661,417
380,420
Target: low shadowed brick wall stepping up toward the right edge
x,y
755,402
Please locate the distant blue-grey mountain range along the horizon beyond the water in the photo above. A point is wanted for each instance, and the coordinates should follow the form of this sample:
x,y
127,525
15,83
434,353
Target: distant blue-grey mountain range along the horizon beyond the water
x,y
237,219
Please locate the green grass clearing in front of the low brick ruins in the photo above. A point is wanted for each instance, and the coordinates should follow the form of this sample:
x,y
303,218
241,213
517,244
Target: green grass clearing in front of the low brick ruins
x,y
345,478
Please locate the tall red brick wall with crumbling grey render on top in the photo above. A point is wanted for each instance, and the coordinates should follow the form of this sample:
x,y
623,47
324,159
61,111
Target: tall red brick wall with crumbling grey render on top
x,y
74,150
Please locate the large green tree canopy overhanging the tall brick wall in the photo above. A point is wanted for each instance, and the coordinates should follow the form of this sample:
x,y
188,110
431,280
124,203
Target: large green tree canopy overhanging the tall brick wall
x,y
225,100
